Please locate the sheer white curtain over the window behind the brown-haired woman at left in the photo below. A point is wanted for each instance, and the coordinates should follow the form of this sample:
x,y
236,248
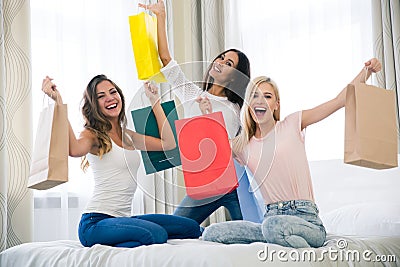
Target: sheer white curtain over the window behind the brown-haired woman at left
x,y
72,41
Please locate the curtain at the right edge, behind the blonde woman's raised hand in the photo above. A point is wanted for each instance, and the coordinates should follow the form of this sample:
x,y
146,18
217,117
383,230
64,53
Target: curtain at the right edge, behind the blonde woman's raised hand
x,y
386,34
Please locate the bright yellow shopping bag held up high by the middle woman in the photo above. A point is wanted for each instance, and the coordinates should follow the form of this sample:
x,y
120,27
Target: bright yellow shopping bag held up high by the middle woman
x,y
143,29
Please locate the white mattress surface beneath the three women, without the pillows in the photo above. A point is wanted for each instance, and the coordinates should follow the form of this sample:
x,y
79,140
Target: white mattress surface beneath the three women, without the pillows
x,y
196,252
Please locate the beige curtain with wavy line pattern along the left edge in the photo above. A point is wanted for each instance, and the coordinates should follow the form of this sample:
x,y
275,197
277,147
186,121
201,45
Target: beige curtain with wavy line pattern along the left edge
x,y
16,207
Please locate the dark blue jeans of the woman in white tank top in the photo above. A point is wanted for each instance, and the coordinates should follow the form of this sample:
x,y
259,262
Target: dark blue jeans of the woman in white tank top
x,y
99,228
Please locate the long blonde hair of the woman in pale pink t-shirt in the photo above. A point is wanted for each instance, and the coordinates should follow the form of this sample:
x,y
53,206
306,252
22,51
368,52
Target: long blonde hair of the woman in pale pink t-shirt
x,y
248,124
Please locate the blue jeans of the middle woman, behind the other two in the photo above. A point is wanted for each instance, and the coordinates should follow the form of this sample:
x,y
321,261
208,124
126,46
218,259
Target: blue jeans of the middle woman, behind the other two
x,y
199,210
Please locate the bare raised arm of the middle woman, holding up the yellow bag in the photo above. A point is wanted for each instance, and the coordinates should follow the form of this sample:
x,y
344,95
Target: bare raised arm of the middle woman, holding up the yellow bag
x,y
159,10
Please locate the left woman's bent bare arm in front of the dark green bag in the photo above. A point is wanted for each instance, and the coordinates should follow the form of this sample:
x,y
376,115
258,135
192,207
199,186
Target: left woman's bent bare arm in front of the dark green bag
x,y
167,139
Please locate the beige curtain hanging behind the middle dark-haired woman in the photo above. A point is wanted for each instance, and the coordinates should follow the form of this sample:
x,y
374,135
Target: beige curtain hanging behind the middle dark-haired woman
x,y
199,35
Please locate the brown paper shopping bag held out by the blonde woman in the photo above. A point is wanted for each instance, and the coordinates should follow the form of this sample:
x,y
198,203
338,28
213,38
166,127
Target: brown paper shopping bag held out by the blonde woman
x,y
371,138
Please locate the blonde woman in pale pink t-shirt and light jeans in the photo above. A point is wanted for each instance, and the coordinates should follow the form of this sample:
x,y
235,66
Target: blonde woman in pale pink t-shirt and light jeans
x,y
274,151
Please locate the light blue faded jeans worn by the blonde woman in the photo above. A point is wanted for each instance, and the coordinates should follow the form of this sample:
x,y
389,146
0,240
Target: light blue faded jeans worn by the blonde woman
x,y
288,223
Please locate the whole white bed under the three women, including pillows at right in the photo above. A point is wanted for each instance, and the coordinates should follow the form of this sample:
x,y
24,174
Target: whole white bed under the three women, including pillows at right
x,y
359,207
